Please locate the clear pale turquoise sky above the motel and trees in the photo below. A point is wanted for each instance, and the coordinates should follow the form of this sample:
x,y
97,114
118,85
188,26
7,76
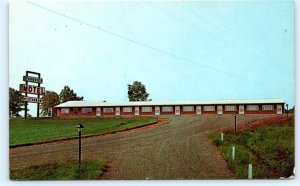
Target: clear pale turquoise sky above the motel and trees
x,y
200,50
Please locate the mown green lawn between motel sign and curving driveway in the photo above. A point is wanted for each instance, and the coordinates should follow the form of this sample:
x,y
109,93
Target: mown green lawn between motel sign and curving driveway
x,y
40,130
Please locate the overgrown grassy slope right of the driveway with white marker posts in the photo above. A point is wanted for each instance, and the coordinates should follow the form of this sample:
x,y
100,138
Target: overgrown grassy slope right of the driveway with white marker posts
x,y
269,148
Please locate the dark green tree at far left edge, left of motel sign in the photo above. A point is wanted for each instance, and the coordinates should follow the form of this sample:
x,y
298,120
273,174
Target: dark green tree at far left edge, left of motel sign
x,y
15,102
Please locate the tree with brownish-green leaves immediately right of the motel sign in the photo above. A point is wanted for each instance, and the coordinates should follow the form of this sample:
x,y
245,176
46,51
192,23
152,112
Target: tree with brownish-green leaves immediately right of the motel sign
x,y
50,99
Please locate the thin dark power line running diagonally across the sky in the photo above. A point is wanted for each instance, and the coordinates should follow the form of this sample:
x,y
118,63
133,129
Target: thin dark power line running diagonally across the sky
x,y
147,46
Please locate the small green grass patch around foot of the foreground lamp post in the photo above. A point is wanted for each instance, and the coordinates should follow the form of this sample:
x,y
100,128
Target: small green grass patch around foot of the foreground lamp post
x,y
89,170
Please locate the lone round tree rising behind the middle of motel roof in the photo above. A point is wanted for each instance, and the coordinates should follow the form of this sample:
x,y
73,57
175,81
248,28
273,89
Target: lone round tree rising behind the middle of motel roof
x,y
137,92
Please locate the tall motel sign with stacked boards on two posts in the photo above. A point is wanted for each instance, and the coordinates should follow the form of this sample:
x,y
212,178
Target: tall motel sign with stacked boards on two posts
x,y
30,89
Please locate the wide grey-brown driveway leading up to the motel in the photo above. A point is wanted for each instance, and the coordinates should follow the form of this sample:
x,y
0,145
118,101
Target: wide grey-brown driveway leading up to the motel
x,y
178,150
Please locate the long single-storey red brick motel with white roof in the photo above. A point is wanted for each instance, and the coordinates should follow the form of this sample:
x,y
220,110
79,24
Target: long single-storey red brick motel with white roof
x,y
72,109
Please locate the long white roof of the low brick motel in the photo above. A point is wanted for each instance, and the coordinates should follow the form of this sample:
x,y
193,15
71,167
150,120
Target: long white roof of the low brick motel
x,y
163,103
